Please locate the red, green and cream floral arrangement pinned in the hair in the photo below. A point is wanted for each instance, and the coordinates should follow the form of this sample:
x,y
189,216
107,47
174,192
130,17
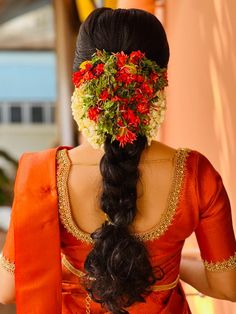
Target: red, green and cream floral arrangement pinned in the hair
x,y
119,95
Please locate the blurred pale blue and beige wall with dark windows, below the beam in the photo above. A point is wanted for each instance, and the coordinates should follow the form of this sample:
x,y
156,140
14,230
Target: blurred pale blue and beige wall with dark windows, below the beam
x,y
27,101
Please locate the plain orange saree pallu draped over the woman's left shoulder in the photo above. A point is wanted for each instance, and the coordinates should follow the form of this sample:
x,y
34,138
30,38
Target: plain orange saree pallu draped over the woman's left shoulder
x,y
36,234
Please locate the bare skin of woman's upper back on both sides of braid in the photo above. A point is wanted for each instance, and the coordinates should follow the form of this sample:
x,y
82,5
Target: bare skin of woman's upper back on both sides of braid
x,y
84,184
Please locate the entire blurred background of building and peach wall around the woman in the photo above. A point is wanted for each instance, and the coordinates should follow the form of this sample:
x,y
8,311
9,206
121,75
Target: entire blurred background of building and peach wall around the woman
x,y
37,40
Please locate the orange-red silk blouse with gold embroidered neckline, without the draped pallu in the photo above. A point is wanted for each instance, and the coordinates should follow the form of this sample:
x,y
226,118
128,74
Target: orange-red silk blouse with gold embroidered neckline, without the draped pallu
x,y
197,202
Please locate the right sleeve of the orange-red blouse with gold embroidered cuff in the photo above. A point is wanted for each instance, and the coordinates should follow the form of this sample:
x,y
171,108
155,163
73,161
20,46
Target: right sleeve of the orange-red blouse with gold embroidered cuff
x,y
214,232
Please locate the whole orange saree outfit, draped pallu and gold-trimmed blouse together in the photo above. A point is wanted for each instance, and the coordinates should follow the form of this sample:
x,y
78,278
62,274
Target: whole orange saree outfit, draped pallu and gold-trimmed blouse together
x,y
47,250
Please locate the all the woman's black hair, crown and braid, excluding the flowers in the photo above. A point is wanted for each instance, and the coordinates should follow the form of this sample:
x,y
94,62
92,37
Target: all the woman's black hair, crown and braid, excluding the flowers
x,y
118,266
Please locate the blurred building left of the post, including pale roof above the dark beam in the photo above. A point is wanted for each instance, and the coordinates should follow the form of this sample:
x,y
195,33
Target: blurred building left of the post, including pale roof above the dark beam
x,y
28,82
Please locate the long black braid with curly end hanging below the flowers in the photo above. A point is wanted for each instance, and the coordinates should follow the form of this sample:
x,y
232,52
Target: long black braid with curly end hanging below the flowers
x,y
118,264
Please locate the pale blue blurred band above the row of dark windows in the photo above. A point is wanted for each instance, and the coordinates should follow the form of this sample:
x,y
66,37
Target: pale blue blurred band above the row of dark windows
x,y
27,76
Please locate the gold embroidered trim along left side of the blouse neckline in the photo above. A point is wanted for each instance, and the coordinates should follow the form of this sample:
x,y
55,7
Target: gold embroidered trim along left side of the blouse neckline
x,y
63,168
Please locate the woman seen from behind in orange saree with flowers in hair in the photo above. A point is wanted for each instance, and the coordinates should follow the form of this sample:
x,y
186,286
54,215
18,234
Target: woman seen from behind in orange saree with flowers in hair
x,y
126,203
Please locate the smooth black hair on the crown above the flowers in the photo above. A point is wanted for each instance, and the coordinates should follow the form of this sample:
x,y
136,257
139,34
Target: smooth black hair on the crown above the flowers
x,y
122,30
